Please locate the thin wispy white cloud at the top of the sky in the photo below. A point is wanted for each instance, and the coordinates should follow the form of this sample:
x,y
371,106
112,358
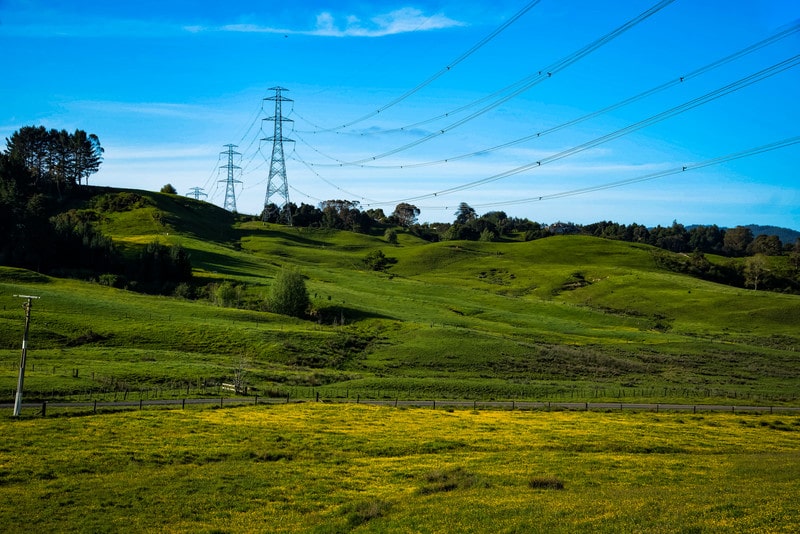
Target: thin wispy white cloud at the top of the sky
x,y
404,20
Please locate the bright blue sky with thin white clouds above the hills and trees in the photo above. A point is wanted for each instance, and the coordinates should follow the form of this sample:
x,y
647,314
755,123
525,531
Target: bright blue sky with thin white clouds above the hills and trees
x,y
165,85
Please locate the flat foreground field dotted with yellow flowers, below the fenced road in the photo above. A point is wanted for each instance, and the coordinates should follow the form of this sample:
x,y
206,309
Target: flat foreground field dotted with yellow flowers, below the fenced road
x,y
318,467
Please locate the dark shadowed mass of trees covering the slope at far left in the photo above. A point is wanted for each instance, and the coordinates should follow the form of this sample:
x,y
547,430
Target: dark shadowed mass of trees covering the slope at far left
x,y
44,175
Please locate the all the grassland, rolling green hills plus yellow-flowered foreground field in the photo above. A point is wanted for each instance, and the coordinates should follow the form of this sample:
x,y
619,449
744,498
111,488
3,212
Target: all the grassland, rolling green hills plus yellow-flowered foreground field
x,y
568,318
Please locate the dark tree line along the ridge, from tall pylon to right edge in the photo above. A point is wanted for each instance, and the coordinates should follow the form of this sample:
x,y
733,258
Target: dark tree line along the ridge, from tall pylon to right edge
x,y
691,244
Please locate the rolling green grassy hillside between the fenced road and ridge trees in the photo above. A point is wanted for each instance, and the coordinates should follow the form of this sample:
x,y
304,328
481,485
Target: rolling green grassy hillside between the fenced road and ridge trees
x,y
567,316
